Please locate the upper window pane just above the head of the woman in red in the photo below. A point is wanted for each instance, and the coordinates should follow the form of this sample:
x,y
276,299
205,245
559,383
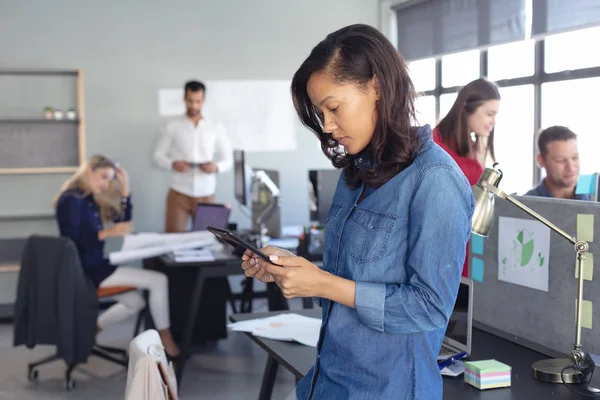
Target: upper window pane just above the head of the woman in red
x,y
512,60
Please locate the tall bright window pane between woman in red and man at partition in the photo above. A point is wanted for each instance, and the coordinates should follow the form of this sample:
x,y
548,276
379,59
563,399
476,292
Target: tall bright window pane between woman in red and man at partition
x,y
514,138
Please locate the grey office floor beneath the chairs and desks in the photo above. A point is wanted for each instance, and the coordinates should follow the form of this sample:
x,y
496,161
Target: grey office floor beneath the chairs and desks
x,y
230,370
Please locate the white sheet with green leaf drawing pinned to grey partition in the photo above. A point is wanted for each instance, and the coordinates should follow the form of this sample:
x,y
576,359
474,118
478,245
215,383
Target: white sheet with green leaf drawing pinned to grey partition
x,y
523,252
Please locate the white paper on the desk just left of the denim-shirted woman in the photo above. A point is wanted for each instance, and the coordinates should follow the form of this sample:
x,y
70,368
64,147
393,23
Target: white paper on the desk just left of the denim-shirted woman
x,y
286,327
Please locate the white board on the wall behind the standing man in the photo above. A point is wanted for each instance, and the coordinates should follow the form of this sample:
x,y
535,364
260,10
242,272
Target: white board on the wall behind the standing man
x,y
258,114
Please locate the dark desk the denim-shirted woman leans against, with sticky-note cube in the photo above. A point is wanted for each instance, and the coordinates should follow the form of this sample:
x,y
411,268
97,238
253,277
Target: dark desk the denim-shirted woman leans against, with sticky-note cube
x,y
298,359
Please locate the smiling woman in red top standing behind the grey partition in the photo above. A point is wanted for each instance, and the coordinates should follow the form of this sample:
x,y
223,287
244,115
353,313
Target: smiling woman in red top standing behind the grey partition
x,y
467,131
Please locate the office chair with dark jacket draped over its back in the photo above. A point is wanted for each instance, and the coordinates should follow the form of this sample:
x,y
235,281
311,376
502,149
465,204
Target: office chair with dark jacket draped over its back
x,y
58,305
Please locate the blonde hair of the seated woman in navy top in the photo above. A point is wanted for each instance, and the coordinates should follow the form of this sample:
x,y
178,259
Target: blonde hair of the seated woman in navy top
x,y
109,201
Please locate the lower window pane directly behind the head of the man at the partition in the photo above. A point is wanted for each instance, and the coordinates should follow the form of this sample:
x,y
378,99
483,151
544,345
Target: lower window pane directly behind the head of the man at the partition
x,y
573,104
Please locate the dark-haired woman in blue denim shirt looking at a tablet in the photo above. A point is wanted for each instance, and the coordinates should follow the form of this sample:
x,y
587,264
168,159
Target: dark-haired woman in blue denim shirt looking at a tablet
x,y
395,235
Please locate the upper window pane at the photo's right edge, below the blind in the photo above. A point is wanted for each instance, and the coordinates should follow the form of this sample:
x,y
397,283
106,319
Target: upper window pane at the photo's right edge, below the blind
x,y
572,50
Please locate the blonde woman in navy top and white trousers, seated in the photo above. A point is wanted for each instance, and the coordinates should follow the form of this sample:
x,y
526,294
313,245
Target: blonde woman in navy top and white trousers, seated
x,y
98,193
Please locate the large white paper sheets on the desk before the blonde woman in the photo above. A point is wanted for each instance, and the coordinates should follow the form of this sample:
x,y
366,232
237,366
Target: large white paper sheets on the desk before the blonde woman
x,y
149,244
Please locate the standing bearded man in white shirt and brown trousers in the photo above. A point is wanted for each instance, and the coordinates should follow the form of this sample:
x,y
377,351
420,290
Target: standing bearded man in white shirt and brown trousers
x,y
195,150
